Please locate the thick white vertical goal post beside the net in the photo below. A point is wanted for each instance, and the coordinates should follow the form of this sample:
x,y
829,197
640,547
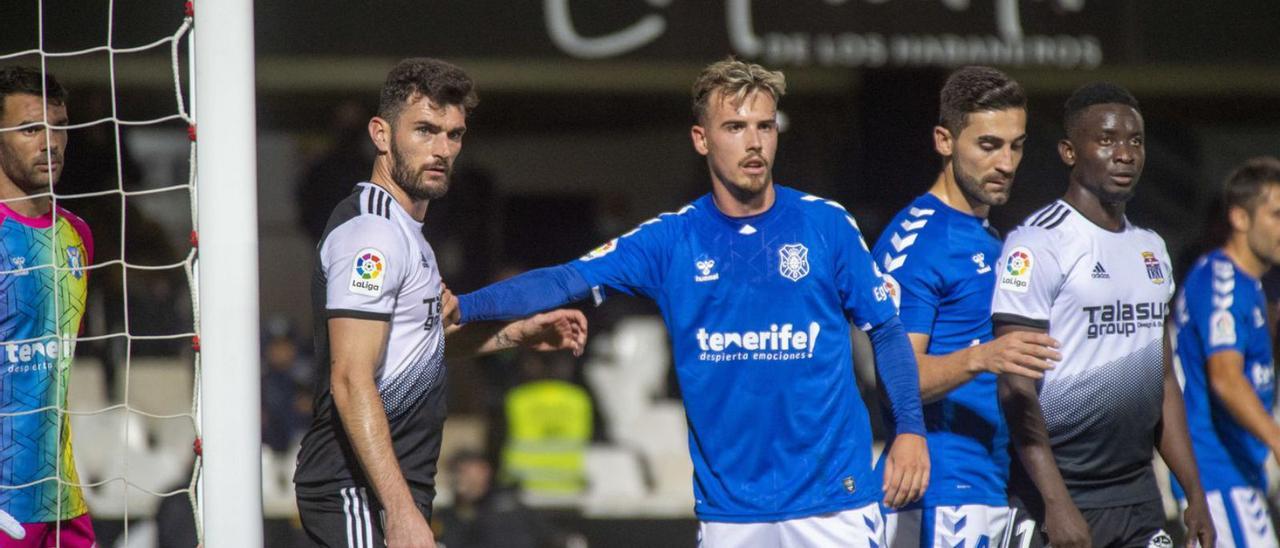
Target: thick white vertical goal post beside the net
x,y
227,193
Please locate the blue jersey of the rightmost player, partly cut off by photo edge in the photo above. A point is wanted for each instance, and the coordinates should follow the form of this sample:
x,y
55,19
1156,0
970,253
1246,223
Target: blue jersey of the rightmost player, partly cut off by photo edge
x,y
1222,309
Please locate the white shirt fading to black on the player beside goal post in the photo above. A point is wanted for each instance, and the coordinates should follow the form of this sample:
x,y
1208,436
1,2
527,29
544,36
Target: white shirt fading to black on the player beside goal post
x,y
374,263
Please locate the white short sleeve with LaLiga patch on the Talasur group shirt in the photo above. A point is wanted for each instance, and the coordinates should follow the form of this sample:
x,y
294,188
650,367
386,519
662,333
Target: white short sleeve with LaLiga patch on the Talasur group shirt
x,y
1028,277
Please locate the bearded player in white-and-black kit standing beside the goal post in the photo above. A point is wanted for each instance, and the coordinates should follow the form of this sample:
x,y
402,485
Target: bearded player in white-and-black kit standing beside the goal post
x,y
367,472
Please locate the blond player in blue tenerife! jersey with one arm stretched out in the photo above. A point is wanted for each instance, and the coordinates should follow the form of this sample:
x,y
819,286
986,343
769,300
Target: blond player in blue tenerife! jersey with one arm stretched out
x,y
758,285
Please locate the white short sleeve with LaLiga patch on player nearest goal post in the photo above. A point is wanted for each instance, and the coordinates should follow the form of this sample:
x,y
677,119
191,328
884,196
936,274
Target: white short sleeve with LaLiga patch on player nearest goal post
x,y
364,263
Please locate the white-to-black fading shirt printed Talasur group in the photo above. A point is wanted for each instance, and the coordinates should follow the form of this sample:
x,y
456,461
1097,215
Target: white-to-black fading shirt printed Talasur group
x,y
1105,298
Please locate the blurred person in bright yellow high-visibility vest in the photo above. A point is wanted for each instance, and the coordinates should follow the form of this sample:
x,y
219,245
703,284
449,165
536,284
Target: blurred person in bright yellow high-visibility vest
x,y
548,428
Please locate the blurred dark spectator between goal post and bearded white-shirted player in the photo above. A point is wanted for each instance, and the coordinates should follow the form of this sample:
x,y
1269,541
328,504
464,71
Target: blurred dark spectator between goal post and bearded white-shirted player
x,y
286,381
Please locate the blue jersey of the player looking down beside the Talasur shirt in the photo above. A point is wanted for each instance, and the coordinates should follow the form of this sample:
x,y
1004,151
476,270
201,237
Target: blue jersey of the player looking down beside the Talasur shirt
x,y
939,263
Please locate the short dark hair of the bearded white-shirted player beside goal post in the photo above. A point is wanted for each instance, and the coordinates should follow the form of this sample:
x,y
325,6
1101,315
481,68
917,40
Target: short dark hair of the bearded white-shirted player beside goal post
x,y
424,77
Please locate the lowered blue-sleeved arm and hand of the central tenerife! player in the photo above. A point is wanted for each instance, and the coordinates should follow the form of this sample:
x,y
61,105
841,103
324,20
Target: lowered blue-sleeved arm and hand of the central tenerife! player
x,y
907,467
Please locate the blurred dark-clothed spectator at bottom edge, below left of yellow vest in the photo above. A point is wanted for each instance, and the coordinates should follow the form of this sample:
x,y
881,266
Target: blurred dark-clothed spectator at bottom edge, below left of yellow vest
x,y
483,517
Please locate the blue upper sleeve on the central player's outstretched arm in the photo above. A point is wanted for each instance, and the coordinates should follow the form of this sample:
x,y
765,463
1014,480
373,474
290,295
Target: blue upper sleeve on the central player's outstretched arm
x,y
630,264
